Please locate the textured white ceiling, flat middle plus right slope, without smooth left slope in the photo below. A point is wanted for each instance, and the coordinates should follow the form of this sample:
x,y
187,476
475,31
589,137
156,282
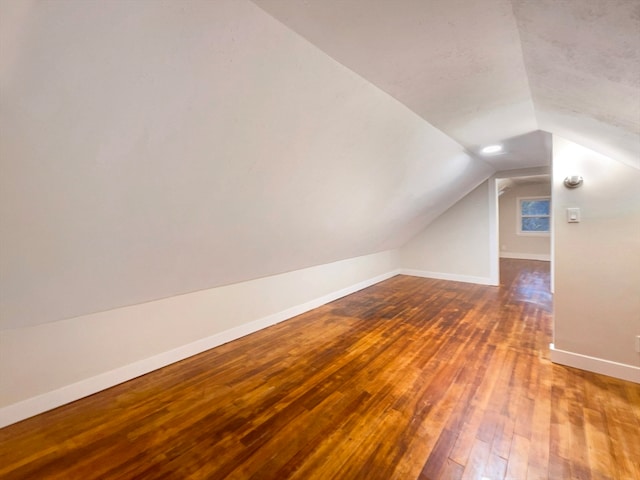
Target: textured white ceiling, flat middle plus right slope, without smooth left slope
x,y
493,71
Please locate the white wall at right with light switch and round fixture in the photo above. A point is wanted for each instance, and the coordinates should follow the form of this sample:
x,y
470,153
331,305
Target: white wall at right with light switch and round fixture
x,y
597,263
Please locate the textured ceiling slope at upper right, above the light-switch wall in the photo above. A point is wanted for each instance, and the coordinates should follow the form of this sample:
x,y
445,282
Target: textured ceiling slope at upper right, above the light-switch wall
x,y
583,63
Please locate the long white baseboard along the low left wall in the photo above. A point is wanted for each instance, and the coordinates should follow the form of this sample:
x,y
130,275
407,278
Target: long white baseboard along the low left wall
x,y
69,393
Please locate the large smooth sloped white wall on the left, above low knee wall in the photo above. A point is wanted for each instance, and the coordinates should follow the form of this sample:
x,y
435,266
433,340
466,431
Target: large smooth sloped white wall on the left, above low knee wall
x,y
150,149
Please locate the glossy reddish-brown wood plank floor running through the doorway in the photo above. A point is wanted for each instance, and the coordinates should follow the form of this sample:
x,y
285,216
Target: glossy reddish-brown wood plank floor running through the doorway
x,y
411,378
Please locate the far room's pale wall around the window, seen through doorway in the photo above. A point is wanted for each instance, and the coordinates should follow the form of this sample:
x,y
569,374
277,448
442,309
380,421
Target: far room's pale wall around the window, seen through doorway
x,y
513,245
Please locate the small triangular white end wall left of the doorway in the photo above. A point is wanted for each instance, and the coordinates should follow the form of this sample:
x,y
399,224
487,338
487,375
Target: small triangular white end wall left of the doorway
x,y
457,245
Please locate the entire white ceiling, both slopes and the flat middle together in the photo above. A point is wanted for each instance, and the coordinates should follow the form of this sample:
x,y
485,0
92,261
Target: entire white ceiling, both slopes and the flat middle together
x,y
155,148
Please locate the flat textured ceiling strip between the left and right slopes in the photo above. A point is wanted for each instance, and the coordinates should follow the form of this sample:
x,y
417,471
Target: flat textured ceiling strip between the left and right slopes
x,y
457,64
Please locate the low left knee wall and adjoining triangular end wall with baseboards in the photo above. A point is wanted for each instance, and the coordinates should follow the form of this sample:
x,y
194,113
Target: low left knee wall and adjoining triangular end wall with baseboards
x,y
47,365
